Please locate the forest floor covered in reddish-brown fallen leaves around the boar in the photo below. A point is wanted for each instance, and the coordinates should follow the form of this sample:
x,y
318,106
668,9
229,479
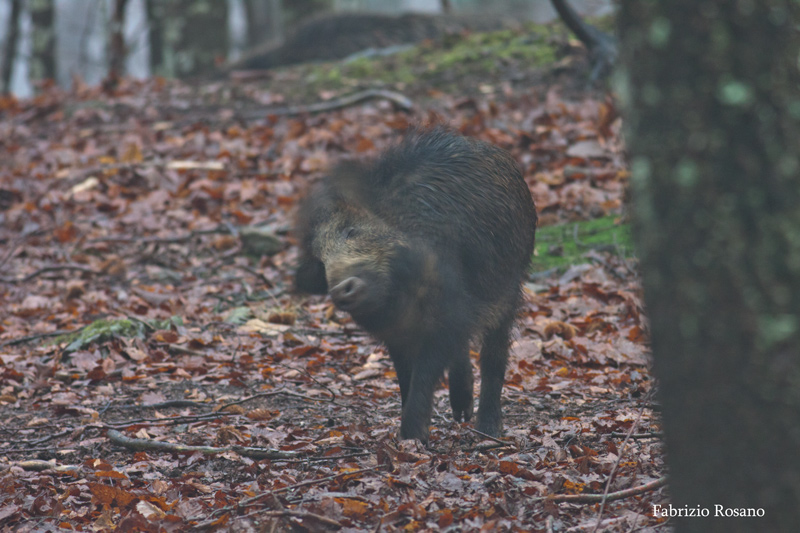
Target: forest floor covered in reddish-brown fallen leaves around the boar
x,y
157,373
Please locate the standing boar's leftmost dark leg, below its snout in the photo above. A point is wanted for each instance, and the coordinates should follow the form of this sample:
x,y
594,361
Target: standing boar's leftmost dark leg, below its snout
x,y
429,366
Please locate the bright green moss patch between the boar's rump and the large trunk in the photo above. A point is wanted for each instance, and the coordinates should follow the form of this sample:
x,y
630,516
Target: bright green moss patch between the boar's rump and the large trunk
x,y
566,244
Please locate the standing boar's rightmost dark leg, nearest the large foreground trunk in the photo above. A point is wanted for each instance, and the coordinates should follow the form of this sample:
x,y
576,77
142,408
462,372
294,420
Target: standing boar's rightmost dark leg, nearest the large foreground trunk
x,y
494,356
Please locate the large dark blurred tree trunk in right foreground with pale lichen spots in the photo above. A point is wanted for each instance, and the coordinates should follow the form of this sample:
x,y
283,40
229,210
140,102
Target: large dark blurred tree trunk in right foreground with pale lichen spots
x,y
713,96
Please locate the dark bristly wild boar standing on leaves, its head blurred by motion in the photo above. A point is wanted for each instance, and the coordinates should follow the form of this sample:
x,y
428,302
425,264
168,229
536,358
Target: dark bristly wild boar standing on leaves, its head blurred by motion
x,y
436,234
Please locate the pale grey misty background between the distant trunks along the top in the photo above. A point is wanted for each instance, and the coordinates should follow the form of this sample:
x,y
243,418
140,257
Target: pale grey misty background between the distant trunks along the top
x,y
80,29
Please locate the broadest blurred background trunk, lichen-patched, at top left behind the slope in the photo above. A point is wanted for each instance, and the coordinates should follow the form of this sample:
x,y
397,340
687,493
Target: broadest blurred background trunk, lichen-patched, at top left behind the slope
x,y
187,37
